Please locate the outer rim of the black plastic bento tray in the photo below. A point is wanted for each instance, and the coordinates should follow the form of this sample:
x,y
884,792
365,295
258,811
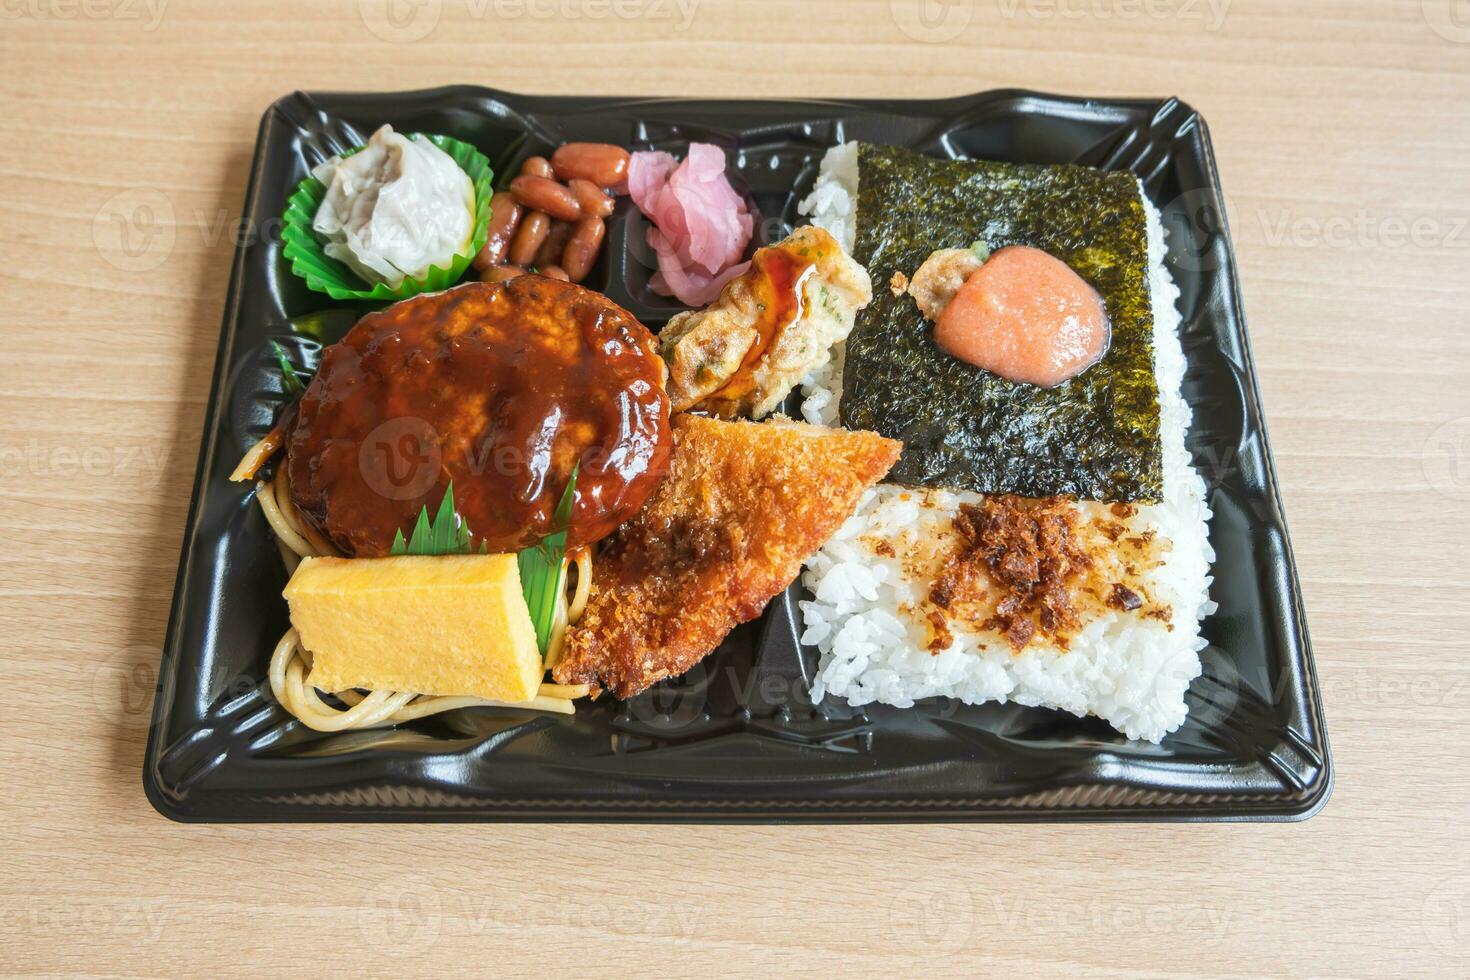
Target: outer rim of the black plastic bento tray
x,y
1221,809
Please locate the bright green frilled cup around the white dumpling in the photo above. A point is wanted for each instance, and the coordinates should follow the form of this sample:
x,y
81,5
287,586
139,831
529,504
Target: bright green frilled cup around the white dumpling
x,y
327,275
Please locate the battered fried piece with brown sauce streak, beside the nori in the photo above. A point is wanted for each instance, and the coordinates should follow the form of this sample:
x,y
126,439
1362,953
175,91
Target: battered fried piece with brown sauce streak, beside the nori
x,y
771,327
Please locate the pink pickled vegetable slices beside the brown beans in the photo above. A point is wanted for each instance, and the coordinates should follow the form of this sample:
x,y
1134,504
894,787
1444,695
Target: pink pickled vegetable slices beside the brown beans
x,y
700,224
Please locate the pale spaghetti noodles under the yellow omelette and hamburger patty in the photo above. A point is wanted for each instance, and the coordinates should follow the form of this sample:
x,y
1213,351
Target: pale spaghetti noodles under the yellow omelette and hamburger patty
x,y
292,663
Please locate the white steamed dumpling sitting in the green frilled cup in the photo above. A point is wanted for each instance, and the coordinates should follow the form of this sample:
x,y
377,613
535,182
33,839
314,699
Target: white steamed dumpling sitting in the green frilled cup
x,y
395,208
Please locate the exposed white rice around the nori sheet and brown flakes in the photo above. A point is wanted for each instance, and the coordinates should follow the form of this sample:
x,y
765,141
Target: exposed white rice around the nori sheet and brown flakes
x,y
1127,669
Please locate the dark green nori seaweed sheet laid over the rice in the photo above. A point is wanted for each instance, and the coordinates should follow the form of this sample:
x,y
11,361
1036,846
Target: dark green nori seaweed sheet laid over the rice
x,y
1094,437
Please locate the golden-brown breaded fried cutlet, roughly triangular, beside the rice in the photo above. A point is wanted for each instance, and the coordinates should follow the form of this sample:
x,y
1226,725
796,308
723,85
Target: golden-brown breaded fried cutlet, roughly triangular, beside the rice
x,y
745,505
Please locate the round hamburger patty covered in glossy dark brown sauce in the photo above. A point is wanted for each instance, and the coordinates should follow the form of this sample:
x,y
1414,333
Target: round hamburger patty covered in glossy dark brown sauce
x,y
498,387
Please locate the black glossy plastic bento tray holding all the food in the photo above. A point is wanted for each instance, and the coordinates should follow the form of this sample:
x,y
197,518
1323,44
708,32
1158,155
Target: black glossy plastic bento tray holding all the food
x,y
737,740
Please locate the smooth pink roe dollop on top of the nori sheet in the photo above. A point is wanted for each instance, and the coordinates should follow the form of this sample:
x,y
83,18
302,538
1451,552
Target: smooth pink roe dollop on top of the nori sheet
x,y
1027,317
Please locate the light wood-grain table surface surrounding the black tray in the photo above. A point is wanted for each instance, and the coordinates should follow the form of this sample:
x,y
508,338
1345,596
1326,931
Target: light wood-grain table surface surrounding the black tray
x,y
1343,130
